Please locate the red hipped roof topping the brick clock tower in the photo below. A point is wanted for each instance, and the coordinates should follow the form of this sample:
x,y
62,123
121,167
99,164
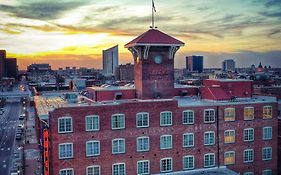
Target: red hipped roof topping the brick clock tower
x,y
154,37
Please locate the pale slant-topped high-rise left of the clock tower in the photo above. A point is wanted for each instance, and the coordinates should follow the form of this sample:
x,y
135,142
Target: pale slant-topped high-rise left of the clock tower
x,y
110,60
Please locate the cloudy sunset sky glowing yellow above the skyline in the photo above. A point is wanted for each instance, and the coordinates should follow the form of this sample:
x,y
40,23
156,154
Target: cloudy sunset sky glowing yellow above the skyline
x,y
74,32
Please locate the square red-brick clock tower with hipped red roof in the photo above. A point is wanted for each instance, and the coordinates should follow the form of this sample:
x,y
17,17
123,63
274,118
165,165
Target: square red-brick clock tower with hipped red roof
x,y
153,53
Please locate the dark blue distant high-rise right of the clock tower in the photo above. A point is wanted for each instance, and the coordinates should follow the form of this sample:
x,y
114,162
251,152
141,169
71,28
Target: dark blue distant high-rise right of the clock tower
x,y
194,63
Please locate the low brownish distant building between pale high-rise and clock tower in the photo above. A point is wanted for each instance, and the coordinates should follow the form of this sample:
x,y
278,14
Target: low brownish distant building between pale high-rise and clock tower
x,y
125,72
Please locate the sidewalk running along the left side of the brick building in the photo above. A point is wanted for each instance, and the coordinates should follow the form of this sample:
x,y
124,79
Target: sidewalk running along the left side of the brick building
x,y
31,147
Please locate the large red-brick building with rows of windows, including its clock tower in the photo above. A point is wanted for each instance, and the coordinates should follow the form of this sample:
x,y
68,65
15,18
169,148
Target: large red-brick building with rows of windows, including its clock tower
x,y
157,127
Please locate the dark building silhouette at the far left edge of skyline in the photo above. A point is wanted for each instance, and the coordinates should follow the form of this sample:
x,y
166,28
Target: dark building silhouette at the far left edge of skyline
x,y
8,66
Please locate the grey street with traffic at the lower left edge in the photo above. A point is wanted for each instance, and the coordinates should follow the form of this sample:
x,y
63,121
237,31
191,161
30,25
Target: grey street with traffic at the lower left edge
x,y
8,127
